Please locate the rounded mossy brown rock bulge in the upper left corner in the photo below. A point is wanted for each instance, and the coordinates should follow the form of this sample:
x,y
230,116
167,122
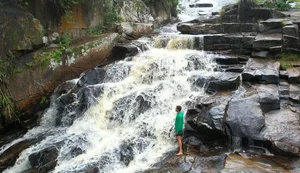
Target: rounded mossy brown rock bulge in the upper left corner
x,y
20,31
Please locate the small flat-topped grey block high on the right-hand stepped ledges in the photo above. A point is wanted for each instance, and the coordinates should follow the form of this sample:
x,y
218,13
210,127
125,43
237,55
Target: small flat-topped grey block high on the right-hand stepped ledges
x,y
265,41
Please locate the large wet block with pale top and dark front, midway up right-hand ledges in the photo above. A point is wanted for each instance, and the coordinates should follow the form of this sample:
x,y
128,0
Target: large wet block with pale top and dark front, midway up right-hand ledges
x,y
261,71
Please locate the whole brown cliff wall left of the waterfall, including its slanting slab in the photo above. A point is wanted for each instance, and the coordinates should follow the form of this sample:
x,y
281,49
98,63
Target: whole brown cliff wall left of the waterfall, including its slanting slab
x,y
27,27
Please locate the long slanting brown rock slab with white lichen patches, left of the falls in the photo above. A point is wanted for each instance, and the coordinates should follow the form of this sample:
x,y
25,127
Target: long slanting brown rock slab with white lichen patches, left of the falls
x,y
49,76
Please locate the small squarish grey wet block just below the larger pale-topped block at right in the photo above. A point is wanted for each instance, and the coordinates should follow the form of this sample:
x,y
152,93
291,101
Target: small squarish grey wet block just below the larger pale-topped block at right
x,y
268,97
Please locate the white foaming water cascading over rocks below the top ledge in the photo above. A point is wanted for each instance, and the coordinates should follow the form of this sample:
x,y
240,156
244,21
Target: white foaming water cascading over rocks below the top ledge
x,y
133,115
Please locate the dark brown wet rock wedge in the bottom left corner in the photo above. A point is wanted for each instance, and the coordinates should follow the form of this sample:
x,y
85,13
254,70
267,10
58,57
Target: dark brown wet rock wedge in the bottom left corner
x,y
9,156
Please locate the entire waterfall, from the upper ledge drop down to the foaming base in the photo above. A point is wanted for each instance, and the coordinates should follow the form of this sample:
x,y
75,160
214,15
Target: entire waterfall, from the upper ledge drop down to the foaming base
x,y
121,119
